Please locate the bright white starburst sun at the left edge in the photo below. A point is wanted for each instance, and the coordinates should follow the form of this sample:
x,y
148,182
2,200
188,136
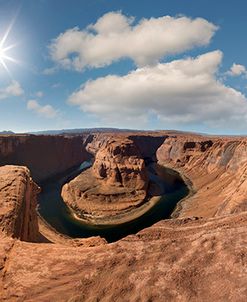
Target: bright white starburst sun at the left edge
x,y
4,50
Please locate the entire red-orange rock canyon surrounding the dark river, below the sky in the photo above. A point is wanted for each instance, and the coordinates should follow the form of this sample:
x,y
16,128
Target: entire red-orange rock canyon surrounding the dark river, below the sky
x,y
198,255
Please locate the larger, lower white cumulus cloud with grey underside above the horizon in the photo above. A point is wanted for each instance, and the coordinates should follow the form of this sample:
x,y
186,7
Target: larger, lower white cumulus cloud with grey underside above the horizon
x,y
181,92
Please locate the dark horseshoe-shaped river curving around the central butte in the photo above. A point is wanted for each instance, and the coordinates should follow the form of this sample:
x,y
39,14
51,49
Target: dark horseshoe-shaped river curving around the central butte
x,y
52,208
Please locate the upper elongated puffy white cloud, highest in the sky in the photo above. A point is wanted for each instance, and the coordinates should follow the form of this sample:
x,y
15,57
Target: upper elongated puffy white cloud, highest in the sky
x,y
115,36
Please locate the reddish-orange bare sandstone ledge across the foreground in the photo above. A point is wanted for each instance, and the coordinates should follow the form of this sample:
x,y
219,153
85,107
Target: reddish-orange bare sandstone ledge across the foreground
x,y
177,260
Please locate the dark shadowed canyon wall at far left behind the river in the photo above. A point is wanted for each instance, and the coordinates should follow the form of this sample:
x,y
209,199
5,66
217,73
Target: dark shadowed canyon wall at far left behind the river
x,y
44,155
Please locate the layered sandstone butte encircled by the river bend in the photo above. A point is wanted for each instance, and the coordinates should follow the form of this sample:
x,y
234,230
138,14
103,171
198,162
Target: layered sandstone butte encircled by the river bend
x,y
116,184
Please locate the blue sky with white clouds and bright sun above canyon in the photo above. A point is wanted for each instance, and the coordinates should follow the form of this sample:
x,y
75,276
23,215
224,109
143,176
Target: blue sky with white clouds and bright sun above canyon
x,y
140,64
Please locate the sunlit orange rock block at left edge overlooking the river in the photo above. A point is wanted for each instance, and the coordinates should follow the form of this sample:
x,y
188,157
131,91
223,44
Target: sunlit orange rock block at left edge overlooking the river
x,y
18,217
